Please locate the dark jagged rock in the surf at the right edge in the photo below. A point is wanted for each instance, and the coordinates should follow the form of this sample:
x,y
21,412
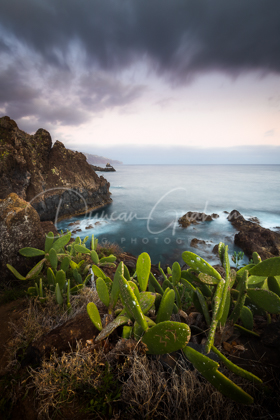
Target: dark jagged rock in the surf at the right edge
x,y
254,238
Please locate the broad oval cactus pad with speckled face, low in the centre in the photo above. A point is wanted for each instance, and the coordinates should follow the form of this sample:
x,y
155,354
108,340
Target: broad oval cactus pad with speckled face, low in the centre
x,y
166,337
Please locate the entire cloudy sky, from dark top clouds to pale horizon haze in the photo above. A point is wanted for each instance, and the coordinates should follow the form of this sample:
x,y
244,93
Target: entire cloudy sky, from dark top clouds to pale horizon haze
x,y
146,81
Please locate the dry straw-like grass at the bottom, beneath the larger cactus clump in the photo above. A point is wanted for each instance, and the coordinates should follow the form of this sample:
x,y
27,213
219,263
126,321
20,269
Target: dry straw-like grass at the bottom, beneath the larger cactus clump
x,y
152,392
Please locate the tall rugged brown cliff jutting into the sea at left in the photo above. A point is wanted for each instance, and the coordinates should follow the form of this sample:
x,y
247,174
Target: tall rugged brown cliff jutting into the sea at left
x,y
56,181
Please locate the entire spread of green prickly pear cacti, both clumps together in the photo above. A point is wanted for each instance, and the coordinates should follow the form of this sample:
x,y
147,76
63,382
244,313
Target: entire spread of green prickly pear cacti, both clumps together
x,y
145,308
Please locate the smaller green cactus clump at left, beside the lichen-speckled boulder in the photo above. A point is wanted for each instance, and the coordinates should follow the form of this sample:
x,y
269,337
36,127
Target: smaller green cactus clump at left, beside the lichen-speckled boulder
x,y
61,269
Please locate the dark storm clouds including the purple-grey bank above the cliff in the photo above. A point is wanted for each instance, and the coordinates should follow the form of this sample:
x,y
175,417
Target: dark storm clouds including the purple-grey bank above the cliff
x,y
62,60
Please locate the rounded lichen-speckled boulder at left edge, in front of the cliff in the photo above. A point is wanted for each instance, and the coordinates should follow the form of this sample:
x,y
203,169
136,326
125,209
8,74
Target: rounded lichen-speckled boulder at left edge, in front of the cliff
x,y
20,227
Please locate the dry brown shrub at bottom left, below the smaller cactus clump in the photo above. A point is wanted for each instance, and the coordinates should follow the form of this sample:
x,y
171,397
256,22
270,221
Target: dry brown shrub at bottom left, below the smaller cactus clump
x,y
76,381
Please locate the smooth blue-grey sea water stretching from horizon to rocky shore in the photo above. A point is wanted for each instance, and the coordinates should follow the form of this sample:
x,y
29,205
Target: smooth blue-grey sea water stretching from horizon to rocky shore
x,y
149,199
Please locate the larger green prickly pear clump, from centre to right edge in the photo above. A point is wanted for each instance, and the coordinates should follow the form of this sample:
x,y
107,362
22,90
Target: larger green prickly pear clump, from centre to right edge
x,y
144,308
